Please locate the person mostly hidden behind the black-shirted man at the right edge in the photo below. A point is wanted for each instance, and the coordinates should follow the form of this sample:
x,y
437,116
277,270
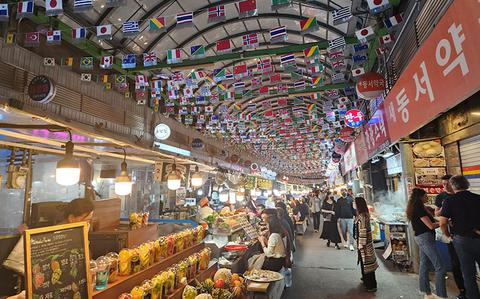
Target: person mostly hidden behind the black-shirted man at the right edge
x,y
440,200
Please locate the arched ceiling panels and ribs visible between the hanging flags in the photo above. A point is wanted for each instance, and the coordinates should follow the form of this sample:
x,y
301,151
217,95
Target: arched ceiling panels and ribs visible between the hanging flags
x,y
270,139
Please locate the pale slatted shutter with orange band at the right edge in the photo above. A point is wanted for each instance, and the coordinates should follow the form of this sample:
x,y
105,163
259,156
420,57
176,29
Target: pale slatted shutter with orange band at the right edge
x,y
470,157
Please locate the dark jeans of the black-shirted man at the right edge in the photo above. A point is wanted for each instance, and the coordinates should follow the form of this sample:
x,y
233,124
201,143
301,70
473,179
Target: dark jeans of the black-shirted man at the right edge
x,y
468,250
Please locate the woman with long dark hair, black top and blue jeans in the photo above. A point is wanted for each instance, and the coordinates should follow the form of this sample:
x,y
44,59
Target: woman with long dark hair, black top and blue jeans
x,y
424,226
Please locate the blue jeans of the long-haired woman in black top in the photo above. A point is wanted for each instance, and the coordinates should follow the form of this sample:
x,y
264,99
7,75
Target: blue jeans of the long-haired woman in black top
x,y
429,256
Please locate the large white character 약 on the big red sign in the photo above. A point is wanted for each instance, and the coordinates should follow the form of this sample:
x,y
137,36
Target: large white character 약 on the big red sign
x,y
443,51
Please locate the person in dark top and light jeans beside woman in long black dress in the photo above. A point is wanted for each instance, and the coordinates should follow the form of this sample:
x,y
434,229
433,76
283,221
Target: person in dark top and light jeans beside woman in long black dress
x,y
345,212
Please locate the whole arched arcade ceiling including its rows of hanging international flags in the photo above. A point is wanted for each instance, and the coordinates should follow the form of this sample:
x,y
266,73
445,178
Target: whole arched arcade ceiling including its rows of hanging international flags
x,y
272,77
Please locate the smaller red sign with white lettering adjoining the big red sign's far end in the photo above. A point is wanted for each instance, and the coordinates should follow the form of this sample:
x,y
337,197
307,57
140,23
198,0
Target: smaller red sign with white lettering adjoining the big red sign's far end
x,y
376,134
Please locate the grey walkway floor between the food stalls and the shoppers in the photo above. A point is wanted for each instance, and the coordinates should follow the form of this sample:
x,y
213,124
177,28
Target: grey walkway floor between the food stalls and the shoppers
x,y
327,273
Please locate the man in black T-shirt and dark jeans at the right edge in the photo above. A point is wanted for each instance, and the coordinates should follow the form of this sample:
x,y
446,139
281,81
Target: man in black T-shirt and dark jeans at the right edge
x,y
463,211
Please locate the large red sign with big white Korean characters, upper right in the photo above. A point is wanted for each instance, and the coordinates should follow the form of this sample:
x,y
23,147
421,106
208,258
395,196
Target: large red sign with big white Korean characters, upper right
x,y
443,72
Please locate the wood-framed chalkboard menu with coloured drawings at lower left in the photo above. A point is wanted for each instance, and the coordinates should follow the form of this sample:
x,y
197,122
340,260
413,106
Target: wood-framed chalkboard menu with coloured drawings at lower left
x,y
57,262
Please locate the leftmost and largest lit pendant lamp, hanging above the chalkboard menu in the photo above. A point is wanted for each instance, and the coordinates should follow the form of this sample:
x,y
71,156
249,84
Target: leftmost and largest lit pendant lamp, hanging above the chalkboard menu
x,y
67,172
